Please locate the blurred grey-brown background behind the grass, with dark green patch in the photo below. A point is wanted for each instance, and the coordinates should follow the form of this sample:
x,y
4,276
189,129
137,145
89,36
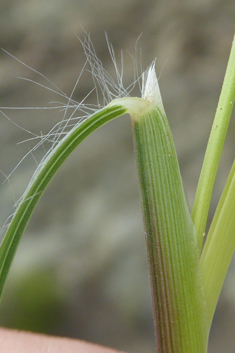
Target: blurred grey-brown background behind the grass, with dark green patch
x,y
81,268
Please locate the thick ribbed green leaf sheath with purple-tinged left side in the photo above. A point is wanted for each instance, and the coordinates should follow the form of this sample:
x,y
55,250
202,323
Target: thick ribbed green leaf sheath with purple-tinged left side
x,y
177,290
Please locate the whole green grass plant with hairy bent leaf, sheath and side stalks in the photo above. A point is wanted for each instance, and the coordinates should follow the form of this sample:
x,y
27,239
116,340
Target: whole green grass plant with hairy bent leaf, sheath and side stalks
x,y
186,277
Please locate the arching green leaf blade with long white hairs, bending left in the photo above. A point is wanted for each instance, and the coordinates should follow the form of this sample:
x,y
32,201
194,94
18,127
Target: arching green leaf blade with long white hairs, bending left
x,y
41,179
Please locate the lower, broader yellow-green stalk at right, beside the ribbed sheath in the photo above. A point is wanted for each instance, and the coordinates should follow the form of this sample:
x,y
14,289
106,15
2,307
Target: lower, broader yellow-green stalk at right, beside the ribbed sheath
x,y
220,245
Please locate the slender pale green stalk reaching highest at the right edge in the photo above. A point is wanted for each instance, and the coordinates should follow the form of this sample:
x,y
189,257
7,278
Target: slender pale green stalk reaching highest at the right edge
x,y
214,149
